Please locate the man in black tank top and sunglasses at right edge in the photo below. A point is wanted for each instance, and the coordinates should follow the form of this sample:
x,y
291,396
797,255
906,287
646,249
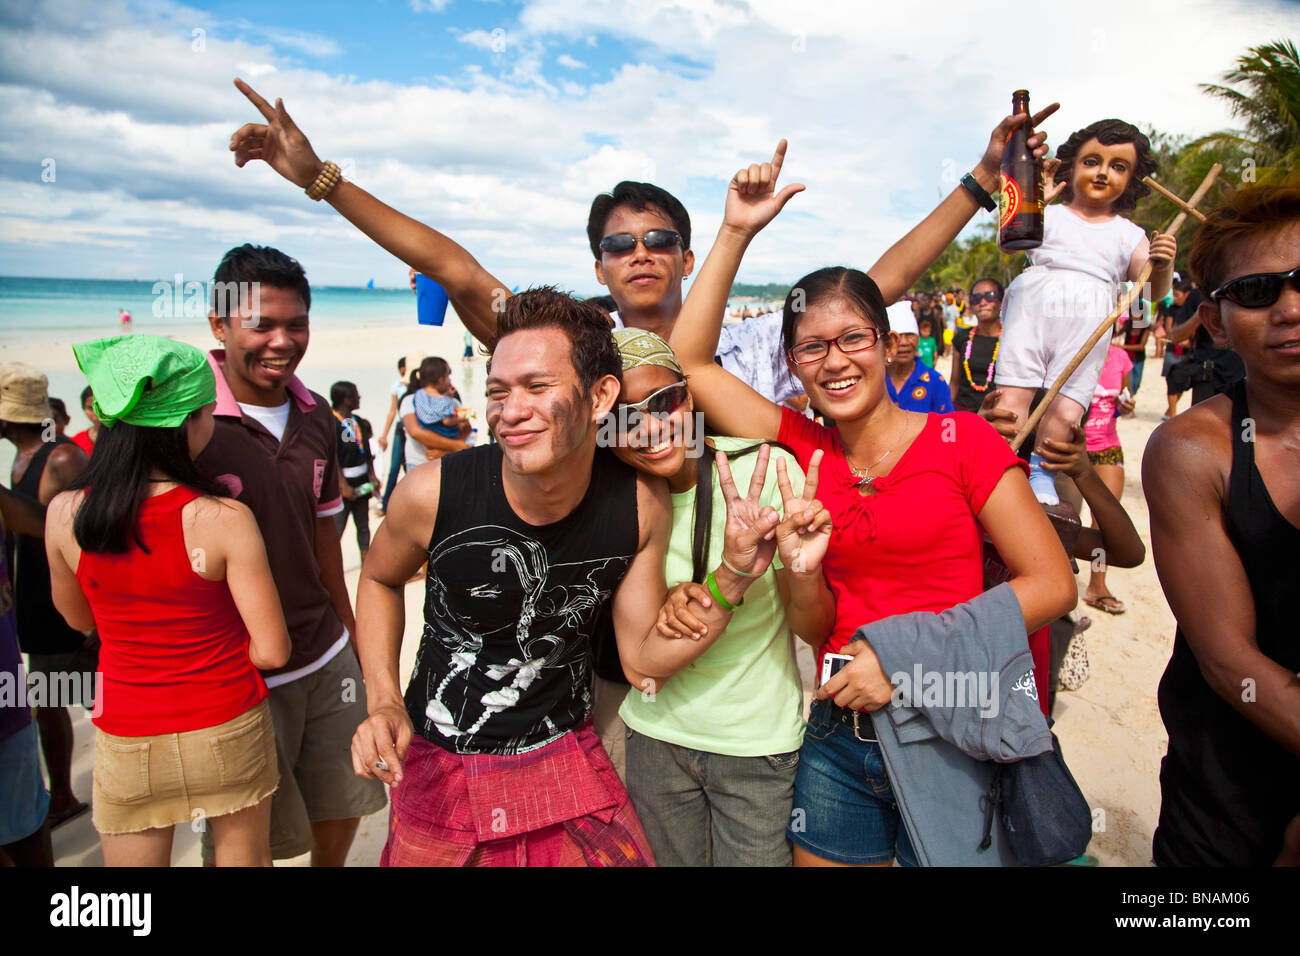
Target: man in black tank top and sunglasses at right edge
x,y
1223,482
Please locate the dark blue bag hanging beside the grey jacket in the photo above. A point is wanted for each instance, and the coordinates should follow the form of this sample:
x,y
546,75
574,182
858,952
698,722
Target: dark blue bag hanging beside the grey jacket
x,y
1045,815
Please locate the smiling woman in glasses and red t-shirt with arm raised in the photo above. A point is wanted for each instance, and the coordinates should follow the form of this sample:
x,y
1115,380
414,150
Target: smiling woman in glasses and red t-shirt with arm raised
x,y
909,495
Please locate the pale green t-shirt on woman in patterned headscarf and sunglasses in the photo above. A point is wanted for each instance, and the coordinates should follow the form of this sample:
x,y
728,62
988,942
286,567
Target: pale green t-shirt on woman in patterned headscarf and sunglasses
x,y
742,698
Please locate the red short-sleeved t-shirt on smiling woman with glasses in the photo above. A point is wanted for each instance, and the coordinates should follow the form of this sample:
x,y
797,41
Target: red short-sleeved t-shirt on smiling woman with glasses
x,y
916,546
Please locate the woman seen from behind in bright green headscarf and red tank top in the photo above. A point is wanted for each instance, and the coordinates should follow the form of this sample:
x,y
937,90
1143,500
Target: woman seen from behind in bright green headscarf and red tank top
x,y
174,576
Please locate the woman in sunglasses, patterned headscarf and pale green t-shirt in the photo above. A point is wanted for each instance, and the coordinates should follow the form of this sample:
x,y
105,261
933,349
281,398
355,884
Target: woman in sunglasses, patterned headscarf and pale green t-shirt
x,y
712,754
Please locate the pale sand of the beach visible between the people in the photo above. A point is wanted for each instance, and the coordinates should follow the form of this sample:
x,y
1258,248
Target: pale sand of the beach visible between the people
x,y
1111,732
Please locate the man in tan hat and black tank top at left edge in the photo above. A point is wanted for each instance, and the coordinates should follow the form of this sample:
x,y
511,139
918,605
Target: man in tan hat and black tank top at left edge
x,y
45,466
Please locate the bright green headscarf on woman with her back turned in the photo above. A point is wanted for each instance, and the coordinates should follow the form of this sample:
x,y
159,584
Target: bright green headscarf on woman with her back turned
x,y
146,380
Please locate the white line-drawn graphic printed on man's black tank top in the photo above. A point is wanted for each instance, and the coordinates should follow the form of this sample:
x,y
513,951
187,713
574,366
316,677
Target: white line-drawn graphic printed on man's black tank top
x,y
504,664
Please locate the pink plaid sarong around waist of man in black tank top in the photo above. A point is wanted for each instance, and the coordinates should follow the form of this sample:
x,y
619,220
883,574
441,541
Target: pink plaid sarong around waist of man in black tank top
x,y
560,806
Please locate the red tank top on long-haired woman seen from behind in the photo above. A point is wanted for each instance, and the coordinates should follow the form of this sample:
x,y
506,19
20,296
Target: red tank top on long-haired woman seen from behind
x,y
175,652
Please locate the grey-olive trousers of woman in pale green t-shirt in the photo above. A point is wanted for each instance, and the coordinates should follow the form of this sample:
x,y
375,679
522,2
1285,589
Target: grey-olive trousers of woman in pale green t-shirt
x,y
710,810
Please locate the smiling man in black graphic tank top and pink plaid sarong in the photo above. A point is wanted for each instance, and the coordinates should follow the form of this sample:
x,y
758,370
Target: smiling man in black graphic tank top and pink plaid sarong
x,y
492,752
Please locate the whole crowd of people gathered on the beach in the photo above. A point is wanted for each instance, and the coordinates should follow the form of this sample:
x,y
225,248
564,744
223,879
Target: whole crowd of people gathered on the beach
x,y
616,578
